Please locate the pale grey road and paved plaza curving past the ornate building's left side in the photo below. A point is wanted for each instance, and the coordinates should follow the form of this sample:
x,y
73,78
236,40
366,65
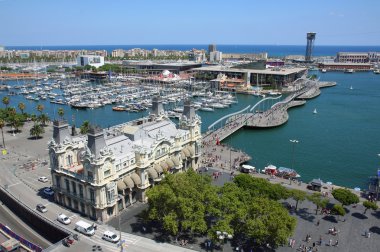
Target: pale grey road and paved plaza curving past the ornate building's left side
x,y
21,167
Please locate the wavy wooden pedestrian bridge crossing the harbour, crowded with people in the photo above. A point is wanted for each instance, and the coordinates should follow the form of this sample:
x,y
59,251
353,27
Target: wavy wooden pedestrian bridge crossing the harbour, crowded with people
x,y
275,116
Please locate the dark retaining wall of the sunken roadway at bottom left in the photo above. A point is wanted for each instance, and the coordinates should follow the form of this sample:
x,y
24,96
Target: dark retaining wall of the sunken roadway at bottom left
x,y
49,230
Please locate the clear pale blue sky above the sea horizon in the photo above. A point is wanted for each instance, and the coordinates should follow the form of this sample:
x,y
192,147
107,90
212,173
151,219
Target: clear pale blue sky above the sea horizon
x,y
144,22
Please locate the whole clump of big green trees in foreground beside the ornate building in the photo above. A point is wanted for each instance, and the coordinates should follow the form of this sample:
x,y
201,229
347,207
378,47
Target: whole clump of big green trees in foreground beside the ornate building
x,y
246,208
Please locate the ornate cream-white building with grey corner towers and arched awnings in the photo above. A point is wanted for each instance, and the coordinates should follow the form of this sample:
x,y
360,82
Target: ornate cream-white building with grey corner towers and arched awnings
x,y
105,171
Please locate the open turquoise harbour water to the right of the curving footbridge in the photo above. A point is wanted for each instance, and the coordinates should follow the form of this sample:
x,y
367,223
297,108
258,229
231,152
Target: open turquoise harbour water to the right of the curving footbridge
x,y
340,143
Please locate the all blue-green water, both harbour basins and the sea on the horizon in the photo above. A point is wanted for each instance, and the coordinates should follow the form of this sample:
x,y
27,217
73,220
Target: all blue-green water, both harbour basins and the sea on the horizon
x,y
339,143
